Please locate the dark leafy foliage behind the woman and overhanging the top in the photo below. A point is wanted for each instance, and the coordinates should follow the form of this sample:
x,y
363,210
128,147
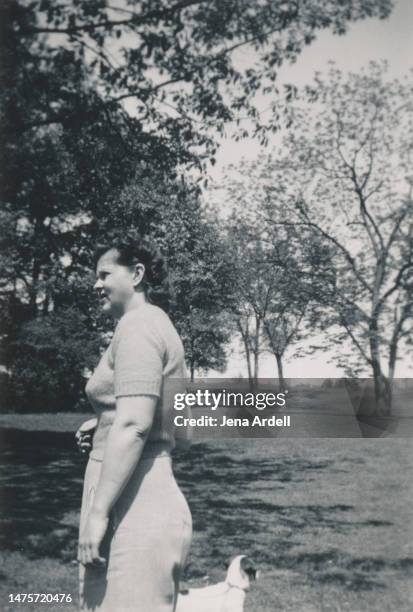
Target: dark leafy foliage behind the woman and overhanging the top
x,y
102,105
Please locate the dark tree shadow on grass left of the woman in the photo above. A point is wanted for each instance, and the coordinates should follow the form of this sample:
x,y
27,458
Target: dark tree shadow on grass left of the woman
x,y
41,486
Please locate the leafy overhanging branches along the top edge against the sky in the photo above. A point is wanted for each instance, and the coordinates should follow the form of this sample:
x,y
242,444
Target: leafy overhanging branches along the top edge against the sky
x,y
174,63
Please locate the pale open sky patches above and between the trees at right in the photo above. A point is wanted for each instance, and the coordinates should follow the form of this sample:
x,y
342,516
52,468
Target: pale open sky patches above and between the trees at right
x,y
372,39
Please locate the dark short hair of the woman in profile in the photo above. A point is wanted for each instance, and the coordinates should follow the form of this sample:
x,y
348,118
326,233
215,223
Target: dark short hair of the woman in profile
x,y
155,280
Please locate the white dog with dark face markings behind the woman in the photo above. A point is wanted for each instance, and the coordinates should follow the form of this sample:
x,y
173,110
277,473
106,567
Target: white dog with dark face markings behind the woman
x,y
227,596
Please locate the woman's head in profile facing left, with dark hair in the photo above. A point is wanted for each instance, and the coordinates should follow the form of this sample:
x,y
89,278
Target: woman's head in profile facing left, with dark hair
x,y
129,271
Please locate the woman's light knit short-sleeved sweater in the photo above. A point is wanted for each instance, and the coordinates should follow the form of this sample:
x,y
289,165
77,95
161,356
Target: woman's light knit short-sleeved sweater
x,y
145,357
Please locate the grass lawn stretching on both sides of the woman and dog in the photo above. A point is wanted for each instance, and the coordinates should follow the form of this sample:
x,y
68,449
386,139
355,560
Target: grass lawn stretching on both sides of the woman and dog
x,y
328,521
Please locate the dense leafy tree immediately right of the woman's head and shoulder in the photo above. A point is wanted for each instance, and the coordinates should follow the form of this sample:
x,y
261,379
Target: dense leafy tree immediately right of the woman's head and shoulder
x,y
202,275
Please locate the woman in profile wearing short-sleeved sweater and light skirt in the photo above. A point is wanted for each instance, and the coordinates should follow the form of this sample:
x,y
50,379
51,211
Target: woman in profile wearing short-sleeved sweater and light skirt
x,y
135,524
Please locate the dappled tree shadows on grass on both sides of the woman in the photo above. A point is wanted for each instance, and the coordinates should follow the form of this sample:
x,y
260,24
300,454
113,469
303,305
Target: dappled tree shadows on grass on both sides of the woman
x,y
232,500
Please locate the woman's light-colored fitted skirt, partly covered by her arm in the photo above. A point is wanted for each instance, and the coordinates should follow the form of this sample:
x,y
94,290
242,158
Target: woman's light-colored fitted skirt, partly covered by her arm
x,y
146,544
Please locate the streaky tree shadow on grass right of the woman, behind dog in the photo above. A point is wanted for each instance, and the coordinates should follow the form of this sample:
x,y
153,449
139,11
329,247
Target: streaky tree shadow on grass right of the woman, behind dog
x,y
228,520
